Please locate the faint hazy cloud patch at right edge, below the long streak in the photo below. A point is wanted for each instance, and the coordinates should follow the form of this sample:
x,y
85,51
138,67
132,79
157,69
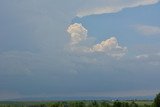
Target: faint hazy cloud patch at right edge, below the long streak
x,y
148,30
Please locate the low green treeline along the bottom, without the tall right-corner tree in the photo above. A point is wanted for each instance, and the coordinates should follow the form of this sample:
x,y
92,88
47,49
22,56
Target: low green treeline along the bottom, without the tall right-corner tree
x,y
80,104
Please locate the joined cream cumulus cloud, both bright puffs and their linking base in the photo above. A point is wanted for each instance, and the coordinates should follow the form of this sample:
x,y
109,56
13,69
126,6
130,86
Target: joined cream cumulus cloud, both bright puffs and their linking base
x,y
109,46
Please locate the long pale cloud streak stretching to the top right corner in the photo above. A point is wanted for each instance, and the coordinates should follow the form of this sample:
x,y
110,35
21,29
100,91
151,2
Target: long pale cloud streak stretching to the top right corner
x,y
109,7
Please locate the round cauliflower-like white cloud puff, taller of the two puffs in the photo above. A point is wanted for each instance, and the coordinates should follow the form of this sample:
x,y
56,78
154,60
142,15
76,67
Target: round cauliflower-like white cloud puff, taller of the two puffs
x,y
77,33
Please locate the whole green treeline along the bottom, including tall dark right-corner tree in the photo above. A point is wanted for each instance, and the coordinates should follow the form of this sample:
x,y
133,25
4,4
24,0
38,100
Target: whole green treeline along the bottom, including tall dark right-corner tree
x,y
156,103
